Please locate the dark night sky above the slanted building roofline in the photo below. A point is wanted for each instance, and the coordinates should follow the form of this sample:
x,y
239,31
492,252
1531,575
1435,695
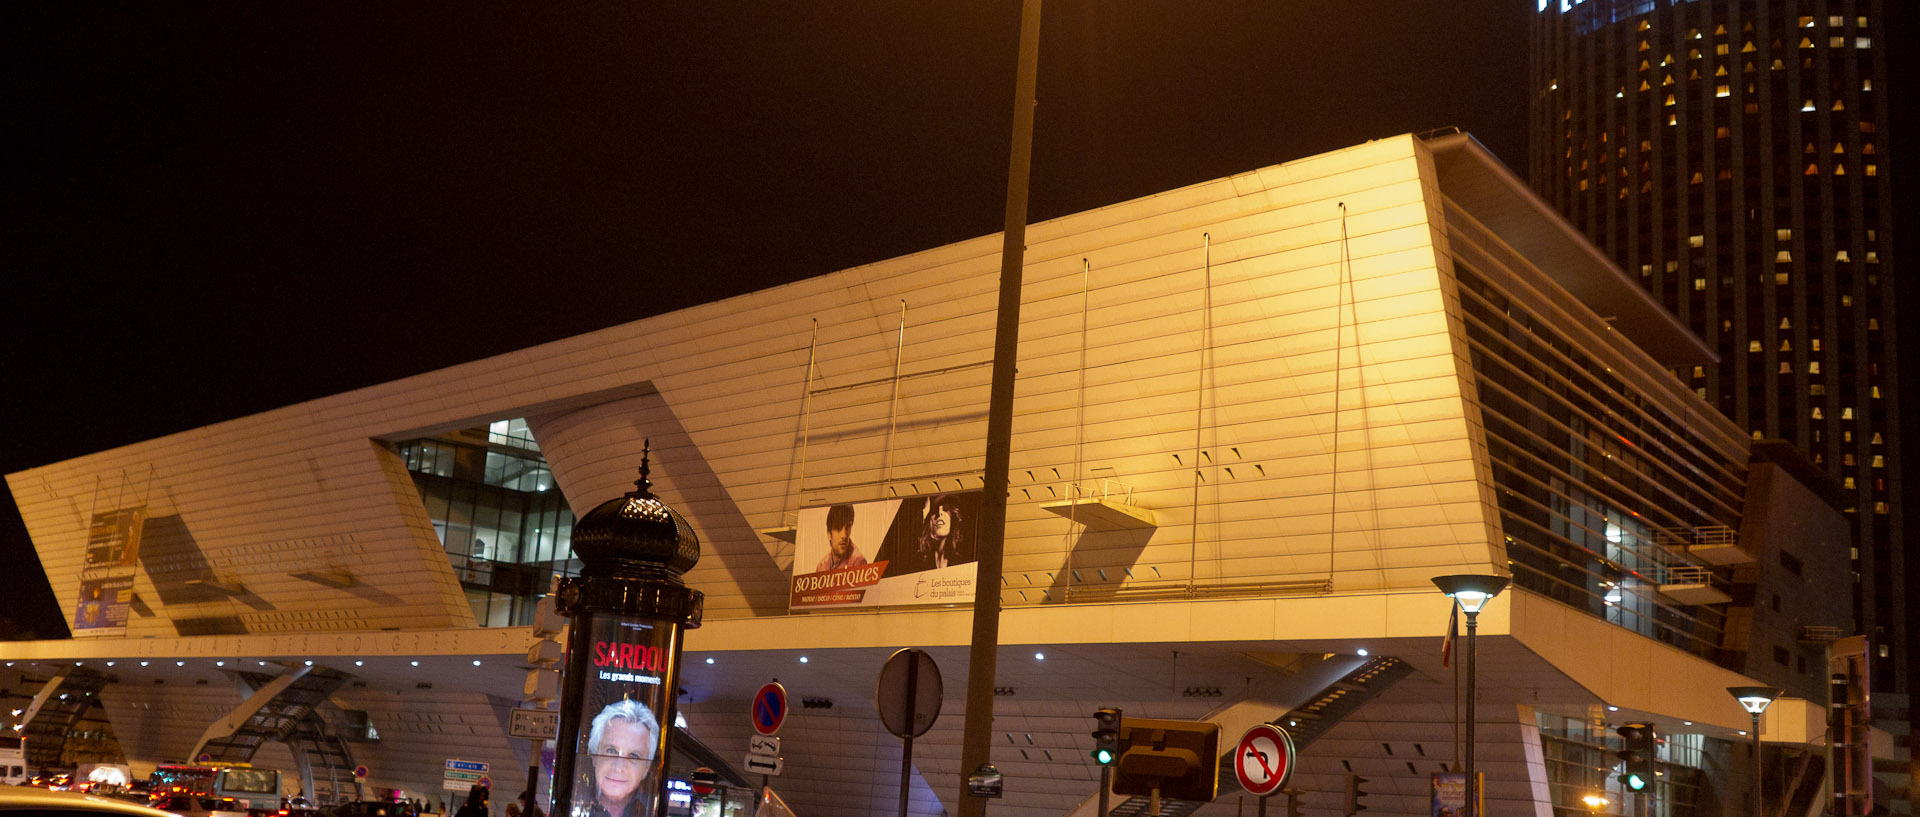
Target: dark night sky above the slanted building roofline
x,y
216,210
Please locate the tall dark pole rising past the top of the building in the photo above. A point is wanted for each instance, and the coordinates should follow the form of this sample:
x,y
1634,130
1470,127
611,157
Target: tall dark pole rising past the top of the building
x,y
984,655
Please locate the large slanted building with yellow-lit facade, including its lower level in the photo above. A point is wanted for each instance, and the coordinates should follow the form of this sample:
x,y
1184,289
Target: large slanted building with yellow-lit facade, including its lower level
x,y
1255,419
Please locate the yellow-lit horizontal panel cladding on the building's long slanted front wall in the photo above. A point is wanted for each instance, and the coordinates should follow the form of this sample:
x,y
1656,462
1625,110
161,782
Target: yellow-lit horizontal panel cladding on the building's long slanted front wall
x,y
1285,394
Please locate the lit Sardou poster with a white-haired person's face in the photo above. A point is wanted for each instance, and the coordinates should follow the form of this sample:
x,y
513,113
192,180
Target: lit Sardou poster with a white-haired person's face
x,y
621,755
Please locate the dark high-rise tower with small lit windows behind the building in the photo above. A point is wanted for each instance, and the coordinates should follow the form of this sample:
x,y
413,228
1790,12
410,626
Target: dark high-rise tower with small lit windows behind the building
x,y
1735,156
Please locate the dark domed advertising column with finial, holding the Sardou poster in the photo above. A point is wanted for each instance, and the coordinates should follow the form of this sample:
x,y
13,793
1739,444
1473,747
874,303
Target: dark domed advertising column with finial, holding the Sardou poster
x,y
629,611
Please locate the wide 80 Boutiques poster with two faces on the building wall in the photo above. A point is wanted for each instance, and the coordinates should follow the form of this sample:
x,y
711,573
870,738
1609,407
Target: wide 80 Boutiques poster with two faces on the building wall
x,y
888,553
